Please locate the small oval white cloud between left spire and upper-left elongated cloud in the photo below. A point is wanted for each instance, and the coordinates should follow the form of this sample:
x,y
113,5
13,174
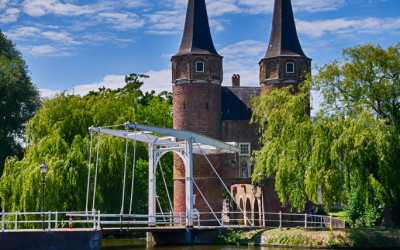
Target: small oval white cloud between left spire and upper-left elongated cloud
x,y
122,21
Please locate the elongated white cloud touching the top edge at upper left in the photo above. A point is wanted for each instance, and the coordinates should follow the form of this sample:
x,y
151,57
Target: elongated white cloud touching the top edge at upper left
x,y
43,7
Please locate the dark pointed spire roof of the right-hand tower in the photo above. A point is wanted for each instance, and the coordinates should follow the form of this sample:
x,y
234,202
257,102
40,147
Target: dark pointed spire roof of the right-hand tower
x,y
284,40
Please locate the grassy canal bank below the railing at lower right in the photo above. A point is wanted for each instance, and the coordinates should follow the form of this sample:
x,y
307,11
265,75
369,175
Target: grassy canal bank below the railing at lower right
x,y
319,238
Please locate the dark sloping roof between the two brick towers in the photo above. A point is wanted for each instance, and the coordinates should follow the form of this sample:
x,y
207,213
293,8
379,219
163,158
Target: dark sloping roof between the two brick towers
x,y
235,103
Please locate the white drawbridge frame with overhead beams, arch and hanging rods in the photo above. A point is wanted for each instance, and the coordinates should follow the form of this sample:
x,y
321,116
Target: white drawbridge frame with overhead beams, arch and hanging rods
x,y
183,143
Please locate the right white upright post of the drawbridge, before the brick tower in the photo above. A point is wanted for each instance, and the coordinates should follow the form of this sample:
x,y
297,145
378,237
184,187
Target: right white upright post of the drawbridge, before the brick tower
x,y
189,182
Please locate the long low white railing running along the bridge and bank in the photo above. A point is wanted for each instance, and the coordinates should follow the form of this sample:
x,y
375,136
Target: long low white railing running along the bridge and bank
x,y
95,220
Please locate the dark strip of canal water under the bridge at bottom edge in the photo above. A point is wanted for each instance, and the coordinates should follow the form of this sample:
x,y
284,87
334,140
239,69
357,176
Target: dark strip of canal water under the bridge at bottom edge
x,y
136,244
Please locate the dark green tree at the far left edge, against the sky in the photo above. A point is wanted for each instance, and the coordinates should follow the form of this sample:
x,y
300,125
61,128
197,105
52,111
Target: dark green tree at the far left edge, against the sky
x,y
19,99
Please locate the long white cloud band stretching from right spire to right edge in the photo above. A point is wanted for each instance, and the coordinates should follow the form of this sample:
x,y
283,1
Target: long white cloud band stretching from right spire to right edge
x,y
348,27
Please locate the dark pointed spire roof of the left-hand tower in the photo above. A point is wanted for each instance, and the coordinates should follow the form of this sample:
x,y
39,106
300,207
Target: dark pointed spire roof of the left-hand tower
x,y
196,36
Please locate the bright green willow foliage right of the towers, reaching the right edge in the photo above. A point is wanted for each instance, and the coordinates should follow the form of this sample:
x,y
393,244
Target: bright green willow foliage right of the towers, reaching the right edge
x,y
351,150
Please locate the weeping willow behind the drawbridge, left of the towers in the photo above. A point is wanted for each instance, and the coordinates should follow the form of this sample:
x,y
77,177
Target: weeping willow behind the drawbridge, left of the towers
x,y
58,134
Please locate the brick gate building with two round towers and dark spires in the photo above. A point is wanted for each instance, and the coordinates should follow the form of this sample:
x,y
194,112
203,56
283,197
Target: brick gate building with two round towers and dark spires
x,y
202,105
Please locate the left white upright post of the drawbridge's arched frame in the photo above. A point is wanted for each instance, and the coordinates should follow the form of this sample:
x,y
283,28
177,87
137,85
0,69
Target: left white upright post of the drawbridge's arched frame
x,y
152,185
